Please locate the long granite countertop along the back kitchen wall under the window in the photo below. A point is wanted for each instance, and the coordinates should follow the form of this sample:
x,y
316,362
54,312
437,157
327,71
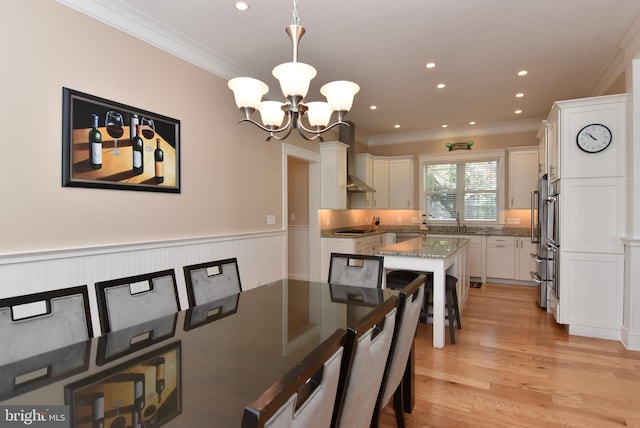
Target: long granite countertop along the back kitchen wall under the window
x,y
434,230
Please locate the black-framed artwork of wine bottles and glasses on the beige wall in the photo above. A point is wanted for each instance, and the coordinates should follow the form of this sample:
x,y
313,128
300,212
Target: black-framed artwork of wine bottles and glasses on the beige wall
x,y
110,145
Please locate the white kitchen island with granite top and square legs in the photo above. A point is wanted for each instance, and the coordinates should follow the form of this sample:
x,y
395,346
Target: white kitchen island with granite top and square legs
x,y
441,256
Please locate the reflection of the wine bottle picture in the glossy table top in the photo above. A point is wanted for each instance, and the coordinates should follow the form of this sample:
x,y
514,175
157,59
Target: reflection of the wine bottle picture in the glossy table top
x,y
113,393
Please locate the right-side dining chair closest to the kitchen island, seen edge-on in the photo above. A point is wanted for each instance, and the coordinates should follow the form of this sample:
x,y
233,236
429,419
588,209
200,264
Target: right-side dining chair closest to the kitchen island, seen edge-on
x,y
409,308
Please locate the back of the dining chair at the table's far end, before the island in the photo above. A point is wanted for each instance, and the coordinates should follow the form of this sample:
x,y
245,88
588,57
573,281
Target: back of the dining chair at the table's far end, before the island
x,y
356,269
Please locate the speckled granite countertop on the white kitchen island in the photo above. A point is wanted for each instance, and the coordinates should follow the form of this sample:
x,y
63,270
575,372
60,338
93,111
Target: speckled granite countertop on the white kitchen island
x,y
433,248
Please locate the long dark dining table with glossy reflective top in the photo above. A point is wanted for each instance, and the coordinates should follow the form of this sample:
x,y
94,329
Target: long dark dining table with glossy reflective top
x,y
198,367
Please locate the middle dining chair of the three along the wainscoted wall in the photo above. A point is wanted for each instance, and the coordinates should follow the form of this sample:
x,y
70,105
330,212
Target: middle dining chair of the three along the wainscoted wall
x,y
125,302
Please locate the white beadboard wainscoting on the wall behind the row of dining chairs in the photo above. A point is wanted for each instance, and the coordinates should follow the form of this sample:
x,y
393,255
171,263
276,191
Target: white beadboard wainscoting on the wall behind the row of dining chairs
x,y
260,260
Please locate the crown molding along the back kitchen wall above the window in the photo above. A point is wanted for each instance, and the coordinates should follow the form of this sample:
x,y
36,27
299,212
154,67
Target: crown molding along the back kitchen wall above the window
x,y
530,125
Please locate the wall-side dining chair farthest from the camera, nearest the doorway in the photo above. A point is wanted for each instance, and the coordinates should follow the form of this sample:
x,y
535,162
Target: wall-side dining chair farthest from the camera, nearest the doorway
x,y
211,281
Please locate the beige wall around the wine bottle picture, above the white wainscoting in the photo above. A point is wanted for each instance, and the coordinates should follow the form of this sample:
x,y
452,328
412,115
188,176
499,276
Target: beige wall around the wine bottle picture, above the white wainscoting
x,y
47,46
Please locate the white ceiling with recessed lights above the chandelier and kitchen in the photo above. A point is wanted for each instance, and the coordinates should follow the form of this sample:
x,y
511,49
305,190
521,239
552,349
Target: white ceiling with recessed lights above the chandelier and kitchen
x,y
567,46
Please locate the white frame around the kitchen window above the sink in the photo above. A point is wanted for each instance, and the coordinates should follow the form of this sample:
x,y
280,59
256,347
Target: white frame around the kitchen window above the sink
x,y
477,156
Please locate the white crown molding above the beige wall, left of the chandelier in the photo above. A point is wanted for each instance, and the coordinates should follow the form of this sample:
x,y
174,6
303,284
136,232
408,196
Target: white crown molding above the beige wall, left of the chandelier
x,y
120,15
